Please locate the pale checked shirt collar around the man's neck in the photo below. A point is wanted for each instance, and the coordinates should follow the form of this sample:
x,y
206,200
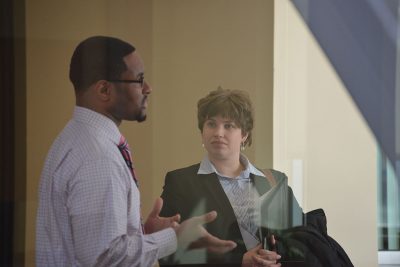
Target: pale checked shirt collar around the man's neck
x,y
102,124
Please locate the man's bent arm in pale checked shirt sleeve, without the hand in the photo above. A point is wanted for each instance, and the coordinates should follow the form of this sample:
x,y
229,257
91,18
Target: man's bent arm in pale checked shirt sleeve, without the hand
x,y
104,208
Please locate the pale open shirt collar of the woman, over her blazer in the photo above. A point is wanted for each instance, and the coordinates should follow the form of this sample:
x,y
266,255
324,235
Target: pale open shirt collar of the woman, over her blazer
x,y
206,167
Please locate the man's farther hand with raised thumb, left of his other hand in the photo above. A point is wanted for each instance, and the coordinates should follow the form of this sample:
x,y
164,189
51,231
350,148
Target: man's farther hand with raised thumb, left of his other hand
x,y
156,223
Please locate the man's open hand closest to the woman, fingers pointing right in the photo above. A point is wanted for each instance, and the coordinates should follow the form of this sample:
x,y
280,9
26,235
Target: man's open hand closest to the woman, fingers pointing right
x,y
191,234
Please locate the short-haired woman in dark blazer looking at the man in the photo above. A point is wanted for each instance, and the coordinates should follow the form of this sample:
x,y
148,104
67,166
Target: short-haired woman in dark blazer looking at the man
x,y
224,181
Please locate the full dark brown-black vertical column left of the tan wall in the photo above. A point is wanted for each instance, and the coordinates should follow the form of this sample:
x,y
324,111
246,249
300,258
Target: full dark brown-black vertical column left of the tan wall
x,y
12,131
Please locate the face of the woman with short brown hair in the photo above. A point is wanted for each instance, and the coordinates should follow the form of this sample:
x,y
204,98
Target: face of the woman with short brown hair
x,y
222,138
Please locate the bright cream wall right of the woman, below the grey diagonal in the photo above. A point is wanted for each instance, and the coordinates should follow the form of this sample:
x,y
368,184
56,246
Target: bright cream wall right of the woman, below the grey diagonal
x,y
316,121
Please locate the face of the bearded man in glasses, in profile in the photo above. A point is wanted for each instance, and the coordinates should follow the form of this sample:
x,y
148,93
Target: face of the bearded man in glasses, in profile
x,y
130,99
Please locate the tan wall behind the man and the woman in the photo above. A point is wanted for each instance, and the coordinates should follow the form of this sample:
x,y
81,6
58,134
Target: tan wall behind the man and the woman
x,y
189,48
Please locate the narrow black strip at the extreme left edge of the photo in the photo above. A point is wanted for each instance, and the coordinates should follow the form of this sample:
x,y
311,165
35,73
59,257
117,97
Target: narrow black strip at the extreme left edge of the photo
x,y
6,133
